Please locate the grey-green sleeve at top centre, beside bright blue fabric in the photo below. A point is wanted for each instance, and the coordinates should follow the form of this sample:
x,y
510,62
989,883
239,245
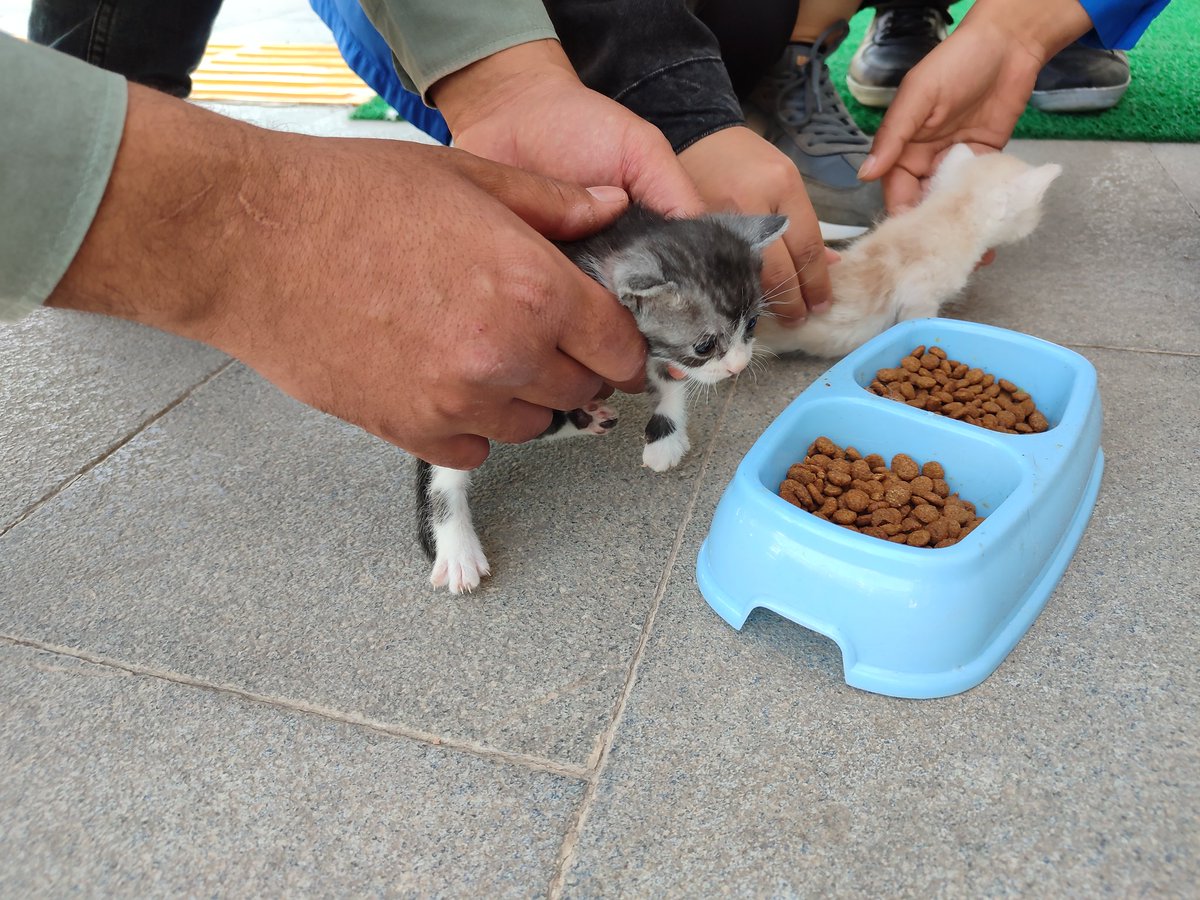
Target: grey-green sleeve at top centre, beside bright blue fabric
x,y
431,39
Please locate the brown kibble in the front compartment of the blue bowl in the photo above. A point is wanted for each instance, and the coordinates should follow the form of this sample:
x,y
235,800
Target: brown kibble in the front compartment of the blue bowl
x,y
904,505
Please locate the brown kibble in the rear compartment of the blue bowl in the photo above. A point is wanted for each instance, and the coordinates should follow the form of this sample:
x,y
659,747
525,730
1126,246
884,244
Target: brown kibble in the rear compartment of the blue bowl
x,y
927,380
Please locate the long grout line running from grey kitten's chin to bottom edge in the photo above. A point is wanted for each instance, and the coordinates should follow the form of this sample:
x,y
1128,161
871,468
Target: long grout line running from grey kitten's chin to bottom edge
x,y
575,830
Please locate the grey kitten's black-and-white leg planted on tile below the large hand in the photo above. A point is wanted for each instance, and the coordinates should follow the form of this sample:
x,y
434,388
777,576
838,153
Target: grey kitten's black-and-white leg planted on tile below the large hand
x,y
445,527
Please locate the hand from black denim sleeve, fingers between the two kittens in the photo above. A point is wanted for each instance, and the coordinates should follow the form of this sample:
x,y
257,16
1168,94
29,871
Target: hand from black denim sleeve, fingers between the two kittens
x,y
736,170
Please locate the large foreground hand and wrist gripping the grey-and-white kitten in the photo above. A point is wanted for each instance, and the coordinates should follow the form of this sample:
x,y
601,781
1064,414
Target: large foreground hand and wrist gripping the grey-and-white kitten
x,y
400,287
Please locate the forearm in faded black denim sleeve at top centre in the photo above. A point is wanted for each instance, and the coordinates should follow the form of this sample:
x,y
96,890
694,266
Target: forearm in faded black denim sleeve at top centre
x,y
656,58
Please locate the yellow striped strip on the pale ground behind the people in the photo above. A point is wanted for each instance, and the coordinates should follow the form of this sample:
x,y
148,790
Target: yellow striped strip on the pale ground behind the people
x,y
280,74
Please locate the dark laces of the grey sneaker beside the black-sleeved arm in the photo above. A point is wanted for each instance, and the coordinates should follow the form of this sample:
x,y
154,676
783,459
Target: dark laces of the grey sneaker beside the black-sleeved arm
x,y
820,110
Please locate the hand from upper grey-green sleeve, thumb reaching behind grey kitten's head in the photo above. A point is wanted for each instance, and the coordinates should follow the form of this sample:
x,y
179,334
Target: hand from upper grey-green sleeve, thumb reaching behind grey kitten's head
x,y
526,107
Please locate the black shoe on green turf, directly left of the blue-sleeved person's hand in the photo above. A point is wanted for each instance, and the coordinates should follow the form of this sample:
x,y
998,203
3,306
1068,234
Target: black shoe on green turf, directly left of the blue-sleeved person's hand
x,y
898,39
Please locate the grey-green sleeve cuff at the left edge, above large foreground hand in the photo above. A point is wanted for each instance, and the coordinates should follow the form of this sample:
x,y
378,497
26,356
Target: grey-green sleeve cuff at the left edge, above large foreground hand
x,y
61,125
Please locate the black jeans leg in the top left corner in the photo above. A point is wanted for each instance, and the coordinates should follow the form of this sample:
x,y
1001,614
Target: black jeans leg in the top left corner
x,y
154,44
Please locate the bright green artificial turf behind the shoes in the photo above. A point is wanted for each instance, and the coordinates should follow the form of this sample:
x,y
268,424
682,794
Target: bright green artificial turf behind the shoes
x,y
1163,101
